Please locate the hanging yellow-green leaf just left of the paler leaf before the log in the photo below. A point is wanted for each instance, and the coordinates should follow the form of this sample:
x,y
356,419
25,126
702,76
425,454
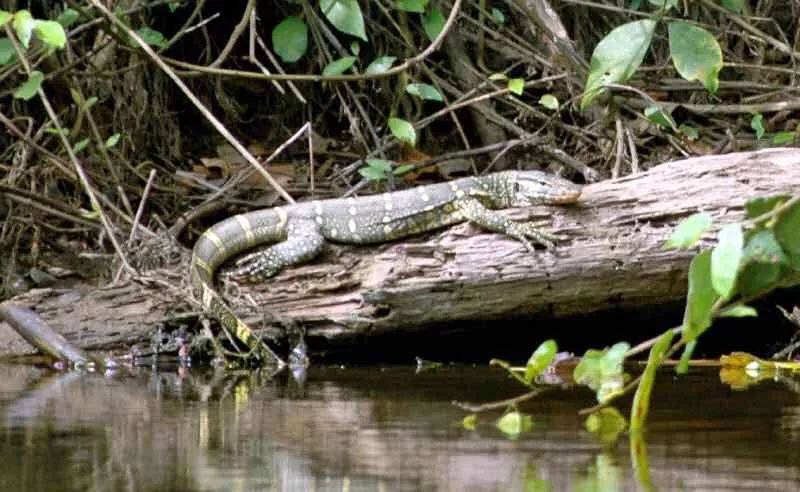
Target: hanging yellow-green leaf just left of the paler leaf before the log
x,y
701,297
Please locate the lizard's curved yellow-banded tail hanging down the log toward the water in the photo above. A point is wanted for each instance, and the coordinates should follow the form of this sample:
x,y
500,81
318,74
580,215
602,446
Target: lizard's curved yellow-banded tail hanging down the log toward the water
x,y
219,243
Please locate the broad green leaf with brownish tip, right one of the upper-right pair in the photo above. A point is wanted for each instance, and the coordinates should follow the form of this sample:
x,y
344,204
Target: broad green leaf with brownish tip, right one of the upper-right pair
x,y
695,54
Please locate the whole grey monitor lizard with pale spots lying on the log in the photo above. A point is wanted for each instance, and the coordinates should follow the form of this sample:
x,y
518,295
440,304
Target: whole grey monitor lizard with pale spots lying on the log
x,y
296,233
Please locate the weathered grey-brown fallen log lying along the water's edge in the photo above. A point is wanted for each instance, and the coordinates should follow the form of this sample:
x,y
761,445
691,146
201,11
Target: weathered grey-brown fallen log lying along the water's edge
x,y
612,259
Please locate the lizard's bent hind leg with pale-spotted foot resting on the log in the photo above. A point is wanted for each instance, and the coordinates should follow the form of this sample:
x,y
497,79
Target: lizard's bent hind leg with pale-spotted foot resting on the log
x,y
303,242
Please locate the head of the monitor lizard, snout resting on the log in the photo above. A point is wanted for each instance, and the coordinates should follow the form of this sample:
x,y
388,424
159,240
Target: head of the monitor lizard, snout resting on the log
x,y
526,188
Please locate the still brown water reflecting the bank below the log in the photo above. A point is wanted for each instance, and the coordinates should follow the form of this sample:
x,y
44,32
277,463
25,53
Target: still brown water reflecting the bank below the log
x,y
375,429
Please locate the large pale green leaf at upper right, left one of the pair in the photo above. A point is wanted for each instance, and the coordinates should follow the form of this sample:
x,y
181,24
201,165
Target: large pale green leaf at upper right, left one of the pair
x,y
617,56
